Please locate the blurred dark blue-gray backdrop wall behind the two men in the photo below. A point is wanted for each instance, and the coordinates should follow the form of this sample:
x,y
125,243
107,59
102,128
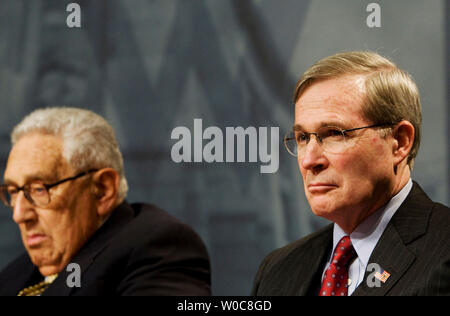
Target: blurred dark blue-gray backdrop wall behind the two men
x,y
150,66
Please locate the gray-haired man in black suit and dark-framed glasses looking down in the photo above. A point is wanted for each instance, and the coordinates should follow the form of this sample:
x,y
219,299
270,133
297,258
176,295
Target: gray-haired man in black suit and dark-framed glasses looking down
x,y
65,183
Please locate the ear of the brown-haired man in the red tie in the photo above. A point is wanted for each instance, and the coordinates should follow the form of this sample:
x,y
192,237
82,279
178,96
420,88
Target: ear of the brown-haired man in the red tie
x,y
403,134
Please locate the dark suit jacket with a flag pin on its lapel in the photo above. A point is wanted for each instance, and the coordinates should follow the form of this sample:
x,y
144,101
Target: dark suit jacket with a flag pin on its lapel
x,y
414,249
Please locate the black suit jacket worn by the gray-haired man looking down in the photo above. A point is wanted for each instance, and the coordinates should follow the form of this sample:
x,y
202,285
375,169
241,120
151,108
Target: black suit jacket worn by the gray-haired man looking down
x,y
140,250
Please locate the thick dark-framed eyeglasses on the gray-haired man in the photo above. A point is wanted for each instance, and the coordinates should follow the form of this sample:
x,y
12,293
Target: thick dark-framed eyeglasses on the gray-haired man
x,y
37,193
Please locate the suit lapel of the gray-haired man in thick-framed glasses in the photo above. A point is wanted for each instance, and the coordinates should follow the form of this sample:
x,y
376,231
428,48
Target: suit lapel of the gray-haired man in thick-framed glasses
x,y
96,245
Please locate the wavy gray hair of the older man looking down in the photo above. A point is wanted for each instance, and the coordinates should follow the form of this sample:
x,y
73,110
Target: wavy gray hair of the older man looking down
x,y
89,140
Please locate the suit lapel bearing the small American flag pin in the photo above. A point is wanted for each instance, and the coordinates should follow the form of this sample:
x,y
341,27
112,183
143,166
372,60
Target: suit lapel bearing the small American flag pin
x,y
391,253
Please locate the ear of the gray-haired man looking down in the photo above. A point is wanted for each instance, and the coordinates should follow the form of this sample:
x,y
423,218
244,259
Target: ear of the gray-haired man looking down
x,y
106,187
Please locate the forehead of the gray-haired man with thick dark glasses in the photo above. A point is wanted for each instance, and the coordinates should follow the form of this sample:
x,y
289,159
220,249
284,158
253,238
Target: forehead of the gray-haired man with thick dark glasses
x,y
35,157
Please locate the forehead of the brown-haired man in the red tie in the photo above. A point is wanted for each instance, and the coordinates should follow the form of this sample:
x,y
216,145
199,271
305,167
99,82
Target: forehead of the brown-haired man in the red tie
x,y
336,101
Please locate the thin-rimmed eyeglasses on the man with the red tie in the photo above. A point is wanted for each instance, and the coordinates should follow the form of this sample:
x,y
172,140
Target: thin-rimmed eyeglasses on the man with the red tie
x,y
332,139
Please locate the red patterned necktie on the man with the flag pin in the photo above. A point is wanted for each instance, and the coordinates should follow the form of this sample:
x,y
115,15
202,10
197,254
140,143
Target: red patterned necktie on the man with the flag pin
x,y
335,282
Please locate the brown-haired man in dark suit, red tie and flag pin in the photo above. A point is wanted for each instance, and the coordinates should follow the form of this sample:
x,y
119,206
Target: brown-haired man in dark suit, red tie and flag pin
x,y
356,134
